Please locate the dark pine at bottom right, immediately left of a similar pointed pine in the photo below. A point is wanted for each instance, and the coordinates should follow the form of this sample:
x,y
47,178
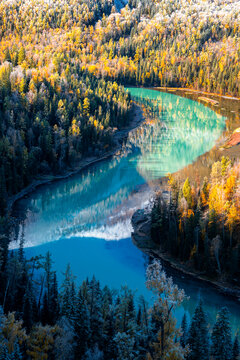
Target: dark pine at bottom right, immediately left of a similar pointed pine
x,y
198,338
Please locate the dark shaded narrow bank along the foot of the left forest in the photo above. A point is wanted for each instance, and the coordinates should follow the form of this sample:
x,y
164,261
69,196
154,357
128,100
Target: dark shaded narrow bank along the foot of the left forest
x,y
119,136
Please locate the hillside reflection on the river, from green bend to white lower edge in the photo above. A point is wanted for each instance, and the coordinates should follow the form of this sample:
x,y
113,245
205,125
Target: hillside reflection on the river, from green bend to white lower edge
x,y
99,202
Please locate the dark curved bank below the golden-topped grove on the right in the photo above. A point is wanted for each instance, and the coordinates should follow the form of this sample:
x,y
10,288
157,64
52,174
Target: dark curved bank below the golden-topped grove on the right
x,y
141,237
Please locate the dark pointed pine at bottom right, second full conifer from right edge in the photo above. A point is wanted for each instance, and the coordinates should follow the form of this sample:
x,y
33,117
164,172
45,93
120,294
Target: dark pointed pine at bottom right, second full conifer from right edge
x,y
221,348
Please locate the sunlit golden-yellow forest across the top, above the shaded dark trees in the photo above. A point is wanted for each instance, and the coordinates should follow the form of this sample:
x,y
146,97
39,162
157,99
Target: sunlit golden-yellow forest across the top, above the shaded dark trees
x,y
150,43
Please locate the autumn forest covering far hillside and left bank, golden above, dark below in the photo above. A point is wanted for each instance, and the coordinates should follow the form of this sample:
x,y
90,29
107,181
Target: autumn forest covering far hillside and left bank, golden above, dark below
x,y
61,65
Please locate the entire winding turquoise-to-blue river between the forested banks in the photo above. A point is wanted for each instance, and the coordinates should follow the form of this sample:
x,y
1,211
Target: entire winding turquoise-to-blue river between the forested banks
x,y
85,220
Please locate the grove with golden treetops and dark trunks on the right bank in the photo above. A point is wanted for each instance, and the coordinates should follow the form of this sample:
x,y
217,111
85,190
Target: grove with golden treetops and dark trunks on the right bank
x,y
199,225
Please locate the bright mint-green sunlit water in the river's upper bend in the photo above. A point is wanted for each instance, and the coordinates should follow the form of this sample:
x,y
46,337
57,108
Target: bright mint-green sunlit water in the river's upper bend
x,y
184,130
